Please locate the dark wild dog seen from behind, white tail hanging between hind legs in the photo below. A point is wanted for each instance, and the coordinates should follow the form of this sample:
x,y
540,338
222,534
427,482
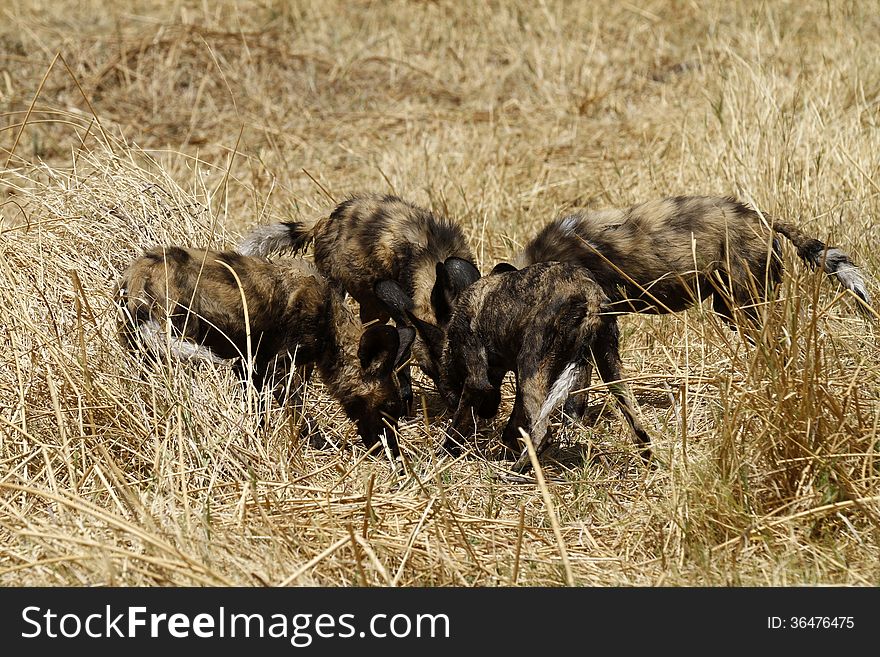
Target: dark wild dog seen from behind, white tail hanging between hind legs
x,y
546,323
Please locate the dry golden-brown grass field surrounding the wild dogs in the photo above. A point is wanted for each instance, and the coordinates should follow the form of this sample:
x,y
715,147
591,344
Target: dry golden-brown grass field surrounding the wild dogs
x,y
125,125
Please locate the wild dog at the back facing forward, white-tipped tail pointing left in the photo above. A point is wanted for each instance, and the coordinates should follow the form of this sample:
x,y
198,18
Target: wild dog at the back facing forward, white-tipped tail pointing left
x,y
388,254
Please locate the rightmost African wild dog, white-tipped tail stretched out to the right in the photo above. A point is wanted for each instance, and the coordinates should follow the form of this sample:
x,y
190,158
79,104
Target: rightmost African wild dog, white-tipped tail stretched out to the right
x,y
665,255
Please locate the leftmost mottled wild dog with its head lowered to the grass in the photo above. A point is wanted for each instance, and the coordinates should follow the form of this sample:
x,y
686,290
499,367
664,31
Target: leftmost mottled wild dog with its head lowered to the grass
x,y
281,319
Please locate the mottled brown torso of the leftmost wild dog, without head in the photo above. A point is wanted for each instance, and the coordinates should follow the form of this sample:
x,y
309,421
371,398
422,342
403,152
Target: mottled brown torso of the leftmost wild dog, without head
x,y
202,293
